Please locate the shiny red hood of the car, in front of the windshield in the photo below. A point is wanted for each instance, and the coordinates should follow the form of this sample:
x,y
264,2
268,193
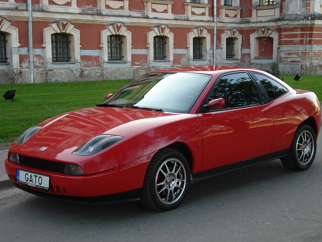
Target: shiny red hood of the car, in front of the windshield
x,y
65,133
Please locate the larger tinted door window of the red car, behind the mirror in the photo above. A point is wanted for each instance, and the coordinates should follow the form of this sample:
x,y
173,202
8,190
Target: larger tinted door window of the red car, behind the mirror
x,y
237,89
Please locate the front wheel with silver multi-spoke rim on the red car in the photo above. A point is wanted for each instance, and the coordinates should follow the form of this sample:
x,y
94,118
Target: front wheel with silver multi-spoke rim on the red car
x,y
167,180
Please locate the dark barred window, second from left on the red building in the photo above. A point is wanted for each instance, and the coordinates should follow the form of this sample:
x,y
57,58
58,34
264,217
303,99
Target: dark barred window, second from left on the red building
x,y
60,48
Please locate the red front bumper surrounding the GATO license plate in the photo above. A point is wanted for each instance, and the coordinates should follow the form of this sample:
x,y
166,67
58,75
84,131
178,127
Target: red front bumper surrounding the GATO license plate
x,y
120,183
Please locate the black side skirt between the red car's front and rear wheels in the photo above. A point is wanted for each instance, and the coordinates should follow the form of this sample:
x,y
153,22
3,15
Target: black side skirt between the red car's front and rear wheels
x,y
198,176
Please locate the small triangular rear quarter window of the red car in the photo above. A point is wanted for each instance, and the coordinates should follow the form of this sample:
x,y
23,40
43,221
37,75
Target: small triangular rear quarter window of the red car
x,y
273,88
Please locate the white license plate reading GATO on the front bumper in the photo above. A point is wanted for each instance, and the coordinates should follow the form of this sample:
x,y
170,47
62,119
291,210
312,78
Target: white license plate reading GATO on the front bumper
x,y
32,179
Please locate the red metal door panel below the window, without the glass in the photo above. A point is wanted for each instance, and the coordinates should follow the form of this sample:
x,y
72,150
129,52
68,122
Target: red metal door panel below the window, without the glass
x,y
239,130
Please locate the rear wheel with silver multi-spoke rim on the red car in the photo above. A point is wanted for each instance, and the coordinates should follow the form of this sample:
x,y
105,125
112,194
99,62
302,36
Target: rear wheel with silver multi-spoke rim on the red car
x,y
302,152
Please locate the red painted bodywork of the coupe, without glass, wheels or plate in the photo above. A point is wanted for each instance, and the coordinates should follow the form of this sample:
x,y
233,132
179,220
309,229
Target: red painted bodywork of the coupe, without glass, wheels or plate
x,y
212,139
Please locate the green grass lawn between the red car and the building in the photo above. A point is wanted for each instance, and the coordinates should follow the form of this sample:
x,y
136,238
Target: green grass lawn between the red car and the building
x,y
34,103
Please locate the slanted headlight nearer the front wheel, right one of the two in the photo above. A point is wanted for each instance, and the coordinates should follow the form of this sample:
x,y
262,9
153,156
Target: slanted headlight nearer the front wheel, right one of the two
x,y
97,144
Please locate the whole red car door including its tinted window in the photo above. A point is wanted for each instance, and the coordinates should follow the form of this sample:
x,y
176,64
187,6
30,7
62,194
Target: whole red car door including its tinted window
x,y
242,129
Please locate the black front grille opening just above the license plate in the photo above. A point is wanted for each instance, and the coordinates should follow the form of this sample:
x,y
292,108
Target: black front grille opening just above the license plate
x,y
41,164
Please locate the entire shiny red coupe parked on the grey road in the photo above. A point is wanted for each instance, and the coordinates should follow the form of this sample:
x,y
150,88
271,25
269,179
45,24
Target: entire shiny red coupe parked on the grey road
x,y
156,135
